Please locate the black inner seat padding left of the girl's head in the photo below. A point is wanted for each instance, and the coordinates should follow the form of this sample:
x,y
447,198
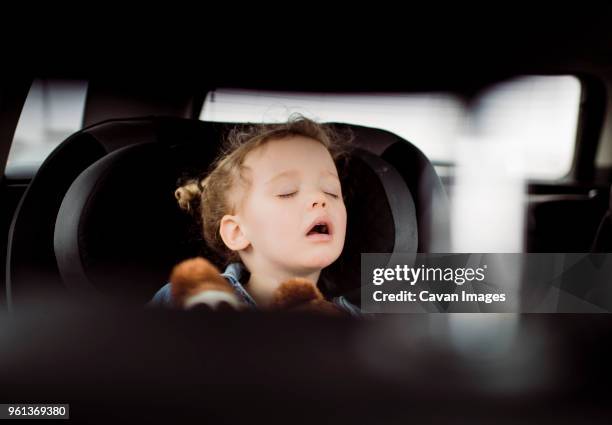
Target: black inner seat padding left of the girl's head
x,y
119,229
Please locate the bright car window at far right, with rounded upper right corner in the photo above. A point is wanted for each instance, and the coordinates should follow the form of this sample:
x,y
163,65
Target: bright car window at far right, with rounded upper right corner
x,y
535,118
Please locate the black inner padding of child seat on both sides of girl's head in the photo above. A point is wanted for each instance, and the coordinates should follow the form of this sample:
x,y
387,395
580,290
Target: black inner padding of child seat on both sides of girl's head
x,y
119,230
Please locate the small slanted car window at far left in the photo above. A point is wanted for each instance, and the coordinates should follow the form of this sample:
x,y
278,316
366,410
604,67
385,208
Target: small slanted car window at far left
x,y
53,110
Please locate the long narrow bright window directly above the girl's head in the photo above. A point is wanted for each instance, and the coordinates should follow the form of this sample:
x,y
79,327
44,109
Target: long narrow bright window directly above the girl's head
x,y
429,120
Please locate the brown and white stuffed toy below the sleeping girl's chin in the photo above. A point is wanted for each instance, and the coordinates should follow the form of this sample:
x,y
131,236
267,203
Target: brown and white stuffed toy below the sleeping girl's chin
x,y
196,282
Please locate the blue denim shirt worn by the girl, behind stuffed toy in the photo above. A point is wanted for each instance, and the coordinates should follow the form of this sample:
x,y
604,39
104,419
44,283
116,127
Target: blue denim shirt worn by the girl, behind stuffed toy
x,y
233,273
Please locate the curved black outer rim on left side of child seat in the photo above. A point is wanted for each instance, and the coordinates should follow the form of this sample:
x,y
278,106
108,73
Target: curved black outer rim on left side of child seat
x,y
30,264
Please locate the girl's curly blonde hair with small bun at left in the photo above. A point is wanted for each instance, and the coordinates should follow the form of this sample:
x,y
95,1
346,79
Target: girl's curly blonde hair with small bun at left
x,y
207,198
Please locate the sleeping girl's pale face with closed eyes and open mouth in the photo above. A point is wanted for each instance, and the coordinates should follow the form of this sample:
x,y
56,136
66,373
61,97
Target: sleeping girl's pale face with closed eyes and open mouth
x,y
293,214
